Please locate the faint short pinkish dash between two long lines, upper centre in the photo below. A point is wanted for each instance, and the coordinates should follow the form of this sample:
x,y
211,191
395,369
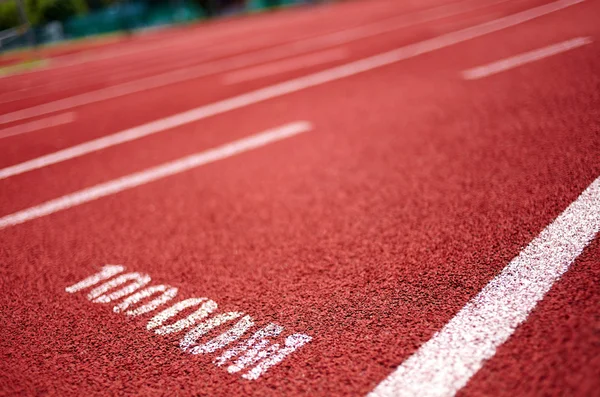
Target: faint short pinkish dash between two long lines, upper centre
x,y
287,65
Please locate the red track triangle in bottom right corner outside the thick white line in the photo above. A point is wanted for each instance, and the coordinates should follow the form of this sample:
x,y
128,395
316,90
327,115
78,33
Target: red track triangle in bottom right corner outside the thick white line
x,y
555,352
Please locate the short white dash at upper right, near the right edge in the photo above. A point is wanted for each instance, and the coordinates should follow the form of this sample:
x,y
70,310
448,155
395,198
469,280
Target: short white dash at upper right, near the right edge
x,y
524,58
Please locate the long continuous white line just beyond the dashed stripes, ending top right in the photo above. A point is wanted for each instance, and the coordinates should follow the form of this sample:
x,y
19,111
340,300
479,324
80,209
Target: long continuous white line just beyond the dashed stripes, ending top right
x,y
294,85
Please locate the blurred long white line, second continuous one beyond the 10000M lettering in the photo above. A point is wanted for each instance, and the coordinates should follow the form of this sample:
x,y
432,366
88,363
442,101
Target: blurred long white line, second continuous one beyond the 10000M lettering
x,y
223,65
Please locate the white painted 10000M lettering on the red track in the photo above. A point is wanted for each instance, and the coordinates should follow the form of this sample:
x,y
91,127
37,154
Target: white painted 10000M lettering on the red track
x,y
256,355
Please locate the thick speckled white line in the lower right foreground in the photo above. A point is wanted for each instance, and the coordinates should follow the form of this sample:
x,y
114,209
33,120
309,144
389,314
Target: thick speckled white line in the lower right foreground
x,y
444,364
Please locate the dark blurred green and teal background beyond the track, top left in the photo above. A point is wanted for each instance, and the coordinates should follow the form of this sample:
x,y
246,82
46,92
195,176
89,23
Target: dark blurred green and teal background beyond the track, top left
x,y
26,23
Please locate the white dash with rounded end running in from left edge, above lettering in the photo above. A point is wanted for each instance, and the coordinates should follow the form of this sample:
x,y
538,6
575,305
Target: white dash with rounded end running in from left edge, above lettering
x,y
155,173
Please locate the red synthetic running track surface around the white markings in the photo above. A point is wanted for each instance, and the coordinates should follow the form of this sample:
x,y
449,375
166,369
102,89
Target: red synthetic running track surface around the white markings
x,y
368,233
